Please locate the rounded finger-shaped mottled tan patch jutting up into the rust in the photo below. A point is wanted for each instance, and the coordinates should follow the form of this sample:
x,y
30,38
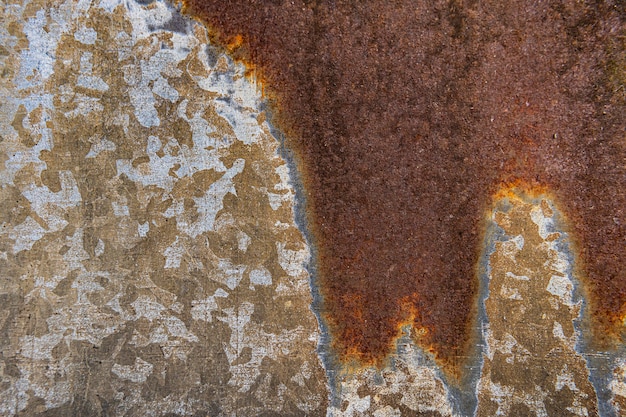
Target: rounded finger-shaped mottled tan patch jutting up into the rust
x,y
532,337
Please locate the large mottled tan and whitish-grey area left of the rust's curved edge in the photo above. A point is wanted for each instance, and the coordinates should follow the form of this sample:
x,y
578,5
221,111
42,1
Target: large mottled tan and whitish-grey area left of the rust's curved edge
x,y
151,264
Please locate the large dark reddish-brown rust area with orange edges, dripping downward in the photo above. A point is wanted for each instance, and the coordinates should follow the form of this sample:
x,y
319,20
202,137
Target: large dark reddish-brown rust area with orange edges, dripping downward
x,y
406,117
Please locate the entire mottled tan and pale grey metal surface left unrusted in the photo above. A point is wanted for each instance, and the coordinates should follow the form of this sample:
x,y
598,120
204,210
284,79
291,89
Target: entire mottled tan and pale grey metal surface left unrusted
x,y
151,262
